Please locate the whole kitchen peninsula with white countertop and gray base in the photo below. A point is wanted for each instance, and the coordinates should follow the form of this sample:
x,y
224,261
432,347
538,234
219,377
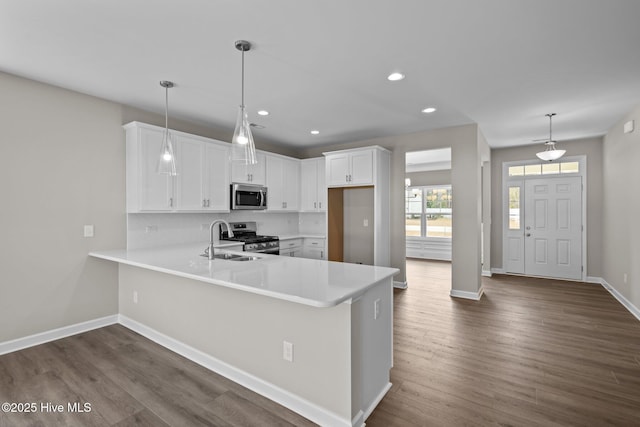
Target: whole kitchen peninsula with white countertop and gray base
x,y
315,336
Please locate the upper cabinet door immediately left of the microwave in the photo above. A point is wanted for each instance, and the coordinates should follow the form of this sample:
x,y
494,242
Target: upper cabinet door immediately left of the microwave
x,y
216,160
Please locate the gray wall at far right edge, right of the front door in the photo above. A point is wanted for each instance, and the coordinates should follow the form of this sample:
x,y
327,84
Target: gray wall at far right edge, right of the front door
x,y
621,209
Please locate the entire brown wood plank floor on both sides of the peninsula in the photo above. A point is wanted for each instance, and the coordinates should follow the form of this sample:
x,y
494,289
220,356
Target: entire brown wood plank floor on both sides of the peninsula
x,y
531,352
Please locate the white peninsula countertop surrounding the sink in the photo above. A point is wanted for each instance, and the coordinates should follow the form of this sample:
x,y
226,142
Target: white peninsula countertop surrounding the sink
x,y
306,281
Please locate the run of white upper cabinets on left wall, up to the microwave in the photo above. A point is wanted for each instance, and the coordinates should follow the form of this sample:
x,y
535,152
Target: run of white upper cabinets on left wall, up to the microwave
x,y
202,183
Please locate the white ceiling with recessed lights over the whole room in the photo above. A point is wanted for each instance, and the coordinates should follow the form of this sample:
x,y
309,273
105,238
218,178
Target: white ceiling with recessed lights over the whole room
x,y
322,65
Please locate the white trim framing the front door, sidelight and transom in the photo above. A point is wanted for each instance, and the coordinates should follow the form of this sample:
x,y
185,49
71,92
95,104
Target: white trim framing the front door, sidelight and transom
x,y
506,179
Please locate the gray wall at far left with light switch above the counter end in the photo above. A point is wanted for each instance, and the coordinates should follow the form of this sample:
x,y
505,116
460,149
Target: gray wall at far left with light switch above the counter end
x,y
63,167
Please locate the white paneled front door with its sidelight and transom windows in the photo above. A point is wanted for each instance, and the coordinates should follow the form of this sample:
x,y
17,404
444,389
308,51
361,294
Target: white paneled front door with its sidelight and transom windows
x,y
543,222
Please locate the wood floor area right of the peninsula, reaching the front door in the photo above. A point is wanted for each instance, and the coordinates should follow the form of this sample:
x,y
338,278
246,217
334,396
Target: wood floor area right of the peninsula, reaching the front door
x,y
531,352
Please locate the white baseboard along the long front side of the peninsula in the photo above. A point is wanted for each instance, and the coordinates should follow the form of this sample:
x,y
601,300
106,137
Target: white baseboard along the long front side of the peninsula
x,y
296,403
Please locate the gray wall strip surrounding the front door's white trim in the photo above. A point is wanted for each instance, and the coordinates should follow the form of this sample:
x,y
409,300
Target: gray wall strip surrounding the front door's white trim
x,y
592,148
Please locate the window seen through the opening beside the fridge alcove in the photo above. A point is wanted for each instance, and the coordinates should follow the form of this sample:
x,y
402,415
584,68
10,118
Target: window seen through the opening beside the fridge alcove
x,y
428,211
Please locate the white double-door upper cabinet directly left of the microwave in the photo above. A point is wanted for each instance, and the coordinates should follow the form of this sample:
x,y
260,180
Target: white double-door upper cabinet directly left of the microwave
x,y
203,178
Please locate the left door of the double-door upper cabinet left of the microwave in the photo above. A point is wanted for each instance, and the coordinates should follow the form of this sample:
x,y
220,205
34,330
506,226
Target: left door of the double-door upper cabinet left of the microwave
x,y
190,181
